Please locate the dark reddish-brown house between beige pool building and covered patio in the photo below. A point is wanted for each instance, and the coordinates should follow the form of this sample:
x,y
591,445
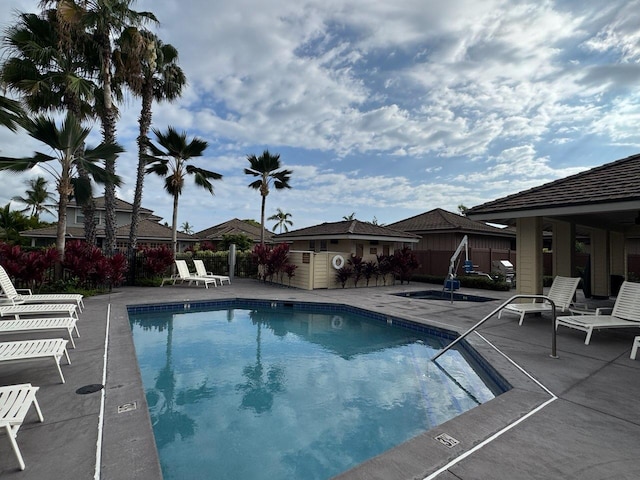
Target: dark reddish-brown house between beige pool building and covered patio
x,y
442,232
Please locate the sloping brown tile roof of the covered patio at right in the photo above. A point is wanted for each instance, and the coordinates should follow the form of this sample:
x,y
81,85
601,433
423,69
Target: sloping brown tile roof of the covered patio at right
x,y
613,182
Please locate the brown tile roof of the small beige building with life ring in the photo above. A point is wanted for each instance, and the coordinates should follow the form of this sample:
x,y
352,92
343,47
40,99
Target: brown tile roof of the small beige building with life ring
x,y
346,228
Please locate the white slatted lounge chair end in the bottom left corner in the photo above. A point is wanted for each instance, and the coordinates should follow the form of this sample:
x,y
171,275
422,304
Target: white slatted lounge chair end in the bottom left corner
x,y
15,402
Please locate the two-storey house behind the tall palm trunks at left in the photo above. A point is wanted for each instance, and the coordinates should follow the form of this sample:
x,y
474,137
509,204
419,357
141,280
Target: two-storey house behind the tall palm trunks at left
x,y
151,233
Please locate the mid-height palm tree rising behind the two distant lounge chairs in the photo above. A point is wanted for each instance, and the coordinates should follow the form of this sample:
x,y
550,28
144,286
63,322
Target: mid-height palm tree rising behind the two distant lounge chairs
x,y
171,164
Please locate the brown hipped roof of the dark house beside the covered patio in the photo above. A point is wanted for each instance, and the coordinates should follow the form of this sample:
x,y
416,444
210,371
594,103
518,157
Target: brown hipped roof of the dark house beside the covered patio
x,y
439,220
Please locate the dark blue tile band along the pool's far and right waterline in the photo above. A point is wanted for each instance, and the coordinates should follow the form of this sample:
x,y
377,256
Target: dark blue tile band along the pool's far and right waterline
x,y
243,303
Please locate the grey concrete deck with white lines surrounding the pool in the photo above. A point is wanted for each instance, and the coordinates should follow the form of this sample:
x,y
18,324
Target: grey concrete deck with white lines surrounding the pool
x,y
572,417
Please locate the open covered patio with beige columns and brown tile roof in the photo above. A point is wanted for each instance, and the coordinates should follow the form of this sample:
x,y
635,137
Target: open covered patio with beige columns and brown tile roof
x,y
601,205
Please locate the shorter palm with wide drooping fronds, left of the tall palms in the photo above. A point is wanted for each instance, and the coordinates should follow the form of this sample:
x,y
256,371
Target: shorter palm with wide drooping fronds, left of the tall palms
x,y
65,142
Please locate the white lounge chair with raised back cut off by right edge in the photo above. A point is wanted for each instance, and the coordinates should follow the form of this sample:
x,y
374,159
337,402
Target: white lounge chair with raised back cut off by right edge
x,y
625,313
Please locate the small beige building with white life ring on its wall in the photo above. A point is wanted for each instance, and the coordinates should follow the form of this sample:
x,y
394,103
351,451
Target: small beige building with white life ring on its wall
x,y
320,250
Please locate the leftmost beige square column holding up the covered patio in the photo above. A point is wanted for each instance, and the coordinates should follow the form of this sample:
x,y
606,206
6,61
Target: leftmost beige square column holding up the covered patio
x,y
529,256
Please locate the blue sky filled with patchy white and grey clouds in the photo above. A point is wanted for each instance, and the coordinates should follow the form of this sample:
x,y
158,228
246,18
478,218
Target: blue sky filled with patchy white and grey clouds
x,y
385,109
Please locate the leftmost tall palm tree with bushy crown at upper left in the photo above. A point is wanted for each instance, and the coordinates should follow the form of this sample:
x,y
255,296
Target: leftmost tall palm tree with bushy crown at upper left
x,y
49,77
